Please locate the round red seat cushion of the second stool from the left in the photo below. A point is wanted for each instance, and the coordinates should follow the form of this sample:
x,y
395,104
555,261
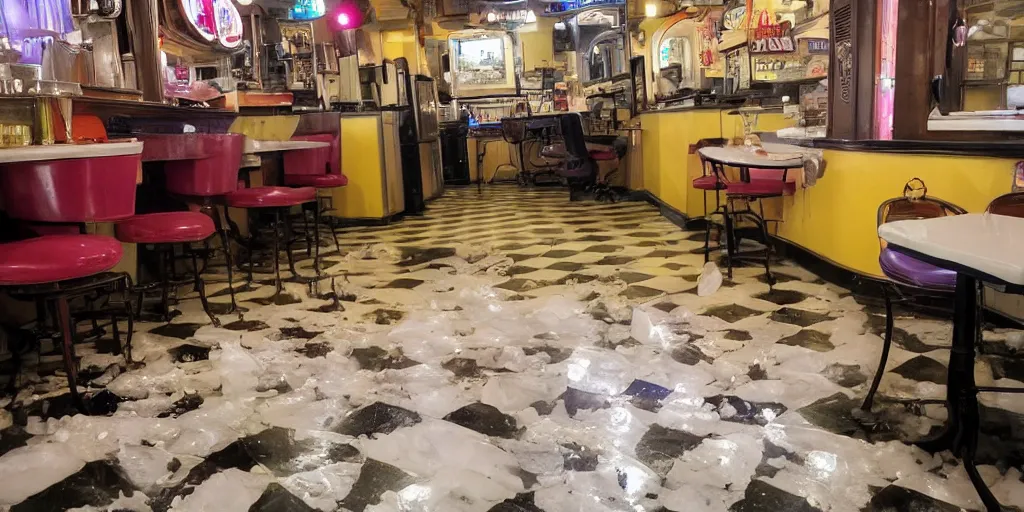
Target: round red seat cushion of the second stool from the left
x,y
168,228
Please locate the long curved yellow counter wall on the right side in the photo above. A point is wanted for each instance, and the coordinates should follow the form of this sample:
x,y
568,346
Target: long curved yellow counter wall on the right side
x,y
836,219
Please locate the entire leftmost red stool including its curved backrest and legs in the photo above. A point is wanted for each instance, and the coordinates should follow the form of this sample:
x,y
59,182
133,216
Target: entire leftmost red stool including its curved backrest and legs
x,y
67,195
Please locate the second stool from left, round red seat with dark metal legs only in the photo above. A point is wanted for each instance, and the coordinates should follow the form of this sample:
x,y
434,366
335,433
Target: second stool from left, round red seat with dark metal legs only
x,y
164,232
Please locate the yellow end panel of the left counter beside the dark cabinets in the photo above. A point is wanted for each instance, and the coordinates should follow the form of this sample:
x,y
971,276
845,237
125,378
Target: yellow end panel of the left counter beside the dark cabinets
x,y
361,160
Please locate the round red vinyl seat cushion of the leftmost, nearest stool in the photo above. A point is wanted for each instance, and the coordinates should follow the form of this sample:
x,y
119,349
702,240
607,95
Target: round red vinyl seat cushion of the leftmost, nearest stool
x,y
61,258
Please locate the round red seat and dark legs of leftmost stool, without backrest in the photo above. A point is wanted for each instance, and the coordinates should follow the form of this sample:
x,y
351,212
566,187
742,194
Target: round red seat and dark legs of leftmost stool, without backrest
x,y
53,271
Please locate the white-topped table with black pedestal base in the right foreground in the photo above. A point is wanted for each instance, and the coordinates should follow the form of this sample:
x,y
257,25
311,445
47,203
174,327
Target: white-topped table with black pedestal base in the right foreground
x,y
982,248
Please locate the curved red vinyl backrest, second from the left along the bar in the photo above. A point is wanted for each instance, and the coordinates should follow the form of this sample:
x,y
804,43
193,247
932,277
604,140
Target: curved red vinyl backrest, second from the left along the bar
x,y
217,175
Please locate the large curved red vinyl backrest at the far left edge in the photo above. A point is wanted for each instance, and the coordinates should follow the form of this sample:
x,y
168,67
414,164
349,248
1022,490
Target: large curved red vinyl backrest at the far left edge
x,y
91,190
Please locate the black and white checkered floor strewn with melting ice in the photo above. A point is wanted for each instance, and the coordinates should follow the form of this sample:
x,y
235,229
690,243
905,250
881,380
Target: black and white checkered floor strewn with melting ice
x,y
514,352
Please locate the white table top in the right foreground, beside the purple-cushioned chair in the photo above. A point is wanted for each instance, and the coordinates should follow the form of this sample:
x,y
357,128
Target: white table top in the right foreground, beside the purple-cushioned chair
x,y
987,243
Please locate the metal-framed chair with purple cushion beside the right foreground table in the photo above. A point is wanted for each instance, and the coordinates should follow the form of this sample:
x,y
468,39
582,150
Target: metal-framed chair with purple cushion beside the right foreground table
x,y
909,275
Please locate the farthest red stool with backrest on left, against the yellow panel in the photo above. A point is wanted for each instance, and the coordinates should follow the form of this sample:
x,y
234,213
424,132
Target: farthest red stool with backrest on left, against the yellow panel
x,y
319,168
